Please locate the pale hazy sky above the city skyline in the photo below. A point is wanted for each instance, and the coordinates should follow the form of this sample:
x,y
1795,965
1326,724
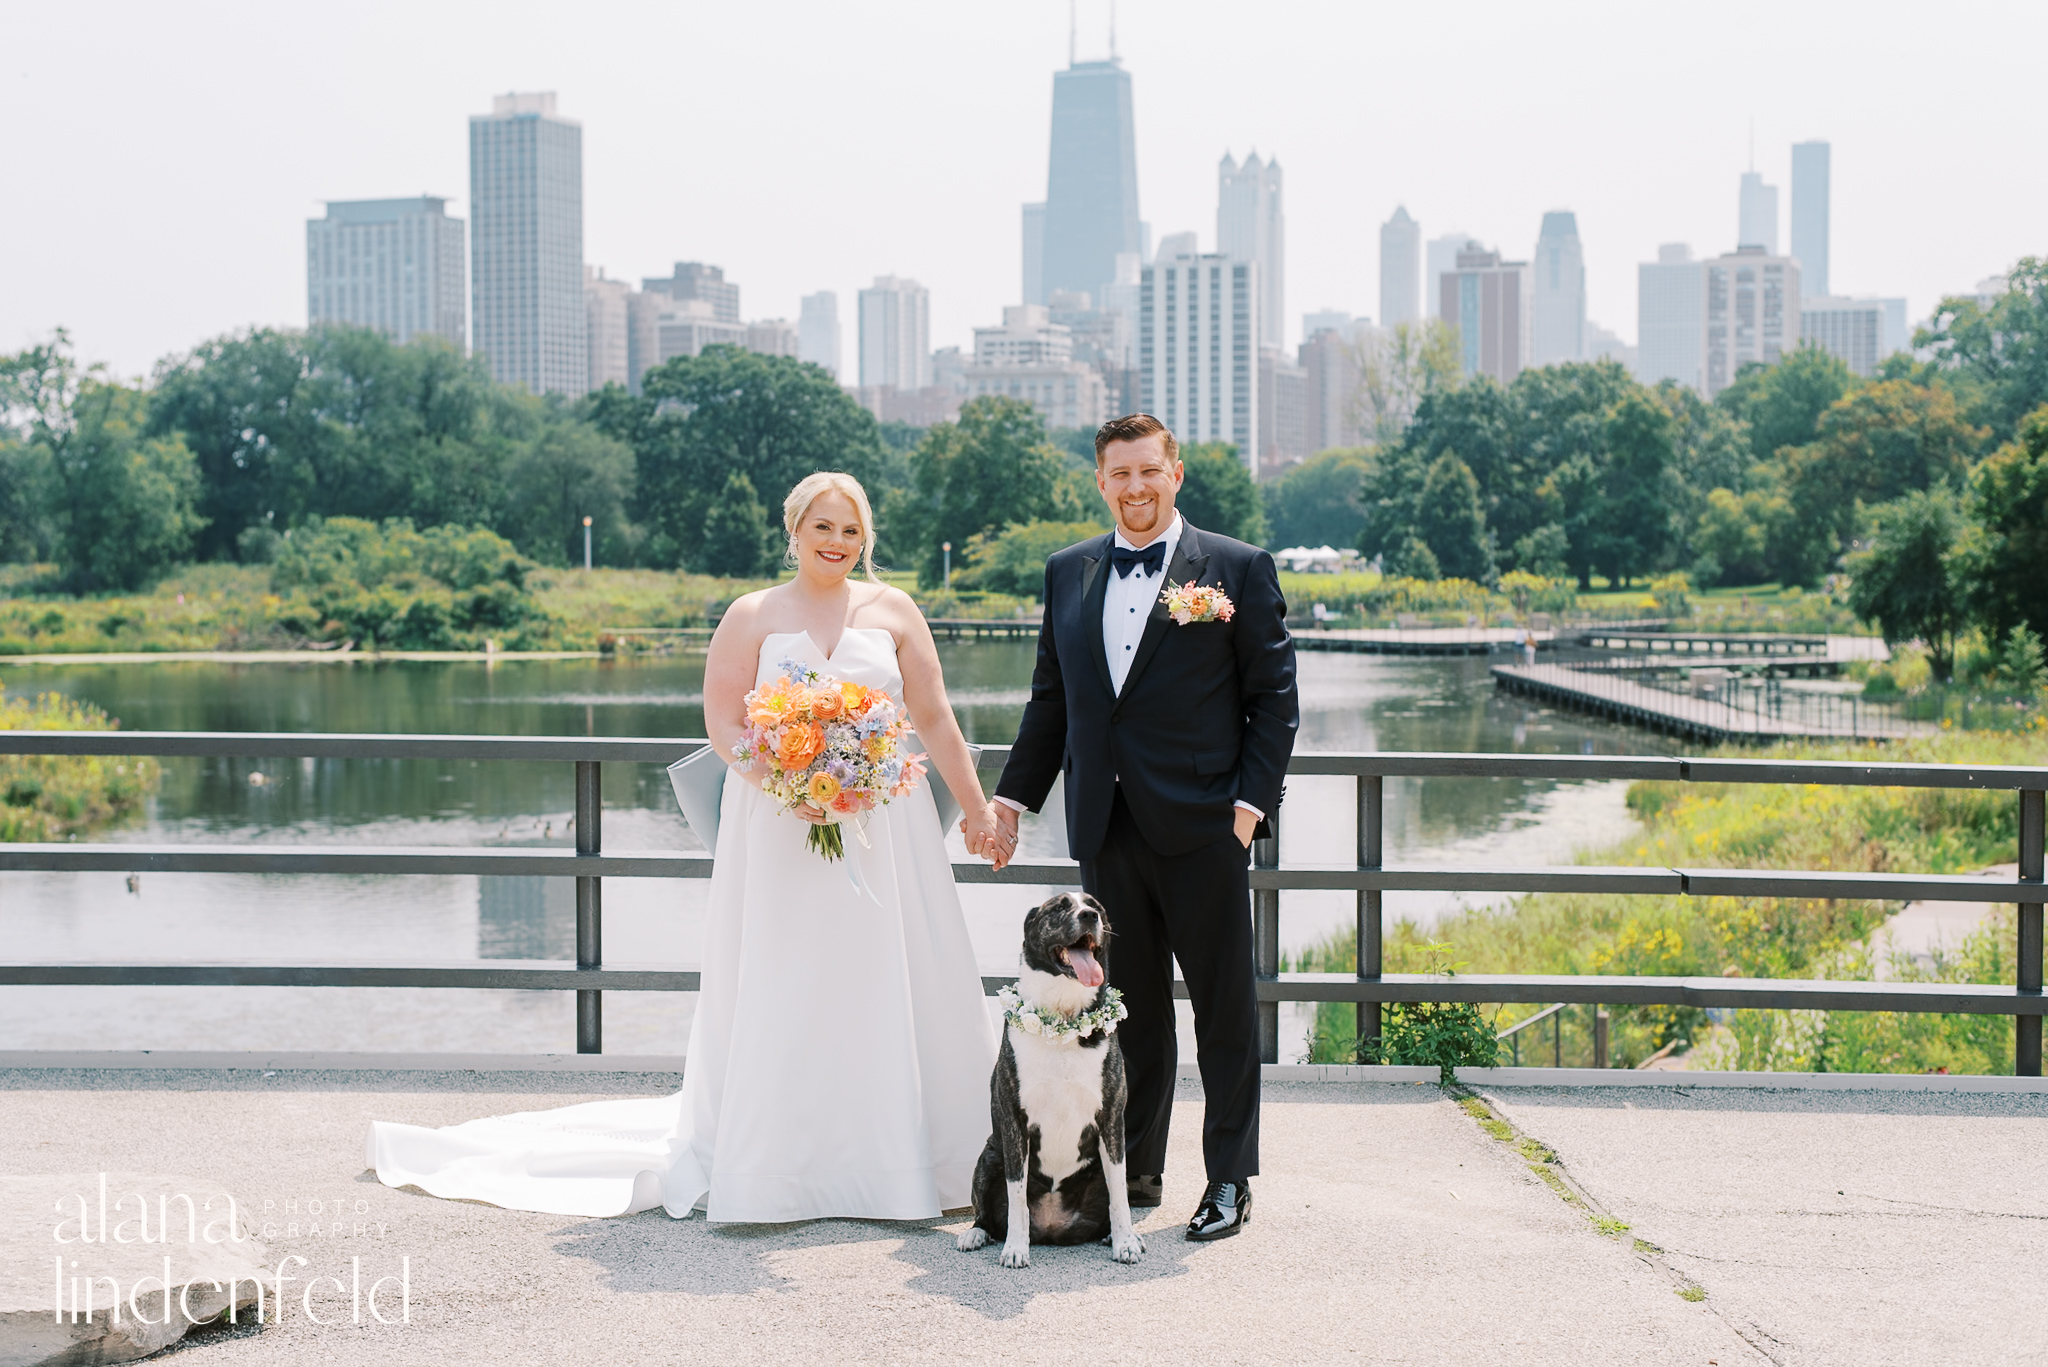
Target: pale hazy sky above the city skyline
x,y
163,159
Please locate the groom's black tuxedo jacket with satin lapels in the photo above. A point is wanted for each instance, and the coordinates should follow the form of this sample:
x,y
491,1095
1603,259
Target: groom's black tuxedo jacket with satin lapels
x,y
1207,714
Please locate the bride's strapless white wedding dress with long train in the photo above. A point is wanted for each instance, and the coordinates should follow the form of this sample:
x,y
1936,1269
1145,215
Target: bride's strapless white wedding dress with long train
x,y
839,1061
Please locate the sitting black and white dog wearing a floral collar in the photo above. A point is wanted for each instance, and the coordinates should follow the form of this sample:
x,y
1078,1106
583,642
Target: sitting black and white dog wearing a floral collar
x,y
1054,1171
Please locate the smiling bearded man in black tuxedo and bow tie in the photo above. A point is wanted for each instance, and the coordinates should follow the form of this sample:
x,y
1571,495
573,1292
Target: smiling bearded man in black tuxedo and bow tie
x,y
1175,741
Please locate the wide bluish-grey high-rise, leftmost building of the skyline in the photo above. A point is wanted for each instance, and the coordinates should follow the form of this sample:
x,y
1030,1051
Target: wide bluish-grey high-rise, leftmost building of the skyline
x,y
394,265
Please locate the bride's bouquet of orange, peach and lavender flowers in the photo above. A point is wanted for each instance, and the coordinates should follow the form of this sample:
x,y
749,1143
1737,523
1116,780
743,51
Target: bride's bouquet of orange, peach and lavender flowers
x,y
828,743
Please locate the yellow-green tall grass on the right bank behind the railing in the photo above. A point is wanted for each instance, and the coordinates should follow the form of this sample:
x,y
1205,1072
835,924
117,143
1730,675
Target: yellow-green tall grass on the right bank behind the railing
x,y
1758,827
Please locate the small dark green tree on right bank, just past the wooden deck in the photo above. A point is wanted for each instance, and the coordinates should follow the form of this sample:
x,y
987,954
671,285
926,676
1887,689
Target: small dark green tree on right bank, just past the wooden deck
x,y
1912,579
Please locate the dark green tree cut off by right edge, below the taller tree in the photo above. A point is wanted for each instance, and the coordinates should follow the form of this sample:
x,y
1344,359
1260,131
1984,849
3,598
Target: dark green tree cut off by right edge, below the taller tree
x,y
2008,561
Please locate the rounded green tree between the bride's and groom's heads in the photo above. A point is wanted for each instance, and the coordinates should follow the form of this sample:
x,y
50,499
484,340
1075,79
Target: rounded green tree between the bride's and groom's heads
x,y
990,470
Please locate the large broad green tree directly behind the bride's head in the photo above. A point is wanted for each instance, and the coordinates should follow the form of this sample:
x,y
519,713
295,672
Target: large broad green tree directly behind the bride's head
x,y
701,419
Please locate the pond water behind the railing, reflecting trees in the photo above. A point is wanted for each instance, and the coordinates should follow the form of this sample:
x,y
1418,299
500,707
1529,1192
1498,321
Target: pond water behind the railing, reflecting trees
x,y
1349,704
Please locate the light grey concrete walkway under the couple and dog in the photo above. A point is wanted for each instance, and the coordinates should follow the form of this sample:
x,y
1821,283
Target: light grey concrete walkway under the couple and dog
x,y
1394,1225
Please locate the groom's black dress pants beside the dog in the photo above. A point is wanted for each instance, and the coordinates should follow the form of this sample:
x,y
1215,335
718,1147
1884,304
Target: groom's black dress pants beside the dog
x,y
1195,909
